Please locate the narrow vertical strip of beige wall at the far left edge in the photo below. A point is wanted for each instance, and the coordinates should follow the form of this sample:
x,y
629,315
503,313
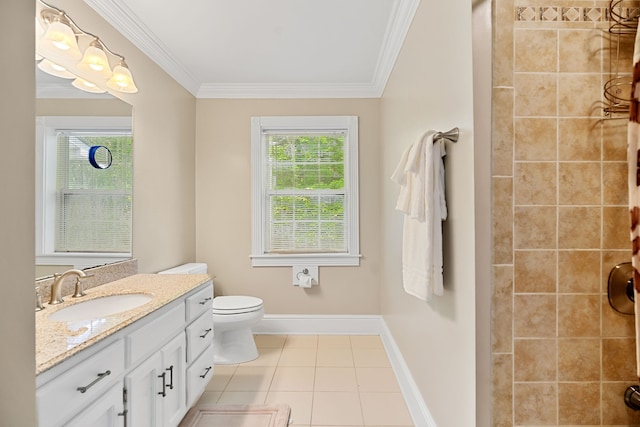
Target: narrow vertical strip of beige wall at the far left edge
x,y
17,232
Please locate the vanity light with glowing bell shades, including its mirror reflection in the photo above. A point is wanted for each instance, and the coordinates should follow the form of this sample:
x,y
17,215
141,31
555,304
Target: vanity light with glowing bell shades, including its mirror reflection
x,y
67,51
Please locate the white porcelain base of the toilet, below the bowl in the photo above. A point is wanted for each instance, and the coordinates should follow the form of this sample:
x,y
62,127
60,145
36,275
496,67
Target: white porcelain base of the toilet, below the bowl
x,y
234,346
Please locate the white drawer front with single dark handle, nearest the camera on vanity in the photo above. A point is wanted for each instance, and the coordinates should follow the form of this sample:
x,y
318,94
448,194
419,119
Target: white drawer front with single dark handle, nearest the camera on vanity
x,y
63,396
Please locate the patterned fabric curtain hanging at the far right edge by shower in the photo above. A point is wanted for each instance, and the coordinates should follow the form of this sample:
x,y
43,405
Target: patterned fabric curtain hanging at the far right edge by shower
x,y
633,158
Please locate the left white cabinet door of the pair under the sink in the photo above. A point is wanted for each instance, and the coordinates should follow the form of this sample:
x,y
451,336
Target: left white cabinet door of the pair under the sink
x,y
143,386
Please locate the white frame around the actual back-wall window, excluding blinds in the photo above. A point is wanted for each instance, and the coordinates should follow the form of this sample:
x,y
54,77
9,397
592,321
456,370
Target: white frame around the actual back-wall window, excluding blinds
x,y
259,257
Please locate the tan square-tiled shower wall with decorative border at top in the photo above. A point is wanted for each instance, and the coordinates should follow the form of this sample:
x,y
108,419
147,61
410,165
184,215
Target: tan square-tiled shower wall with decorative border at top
x,y
561,354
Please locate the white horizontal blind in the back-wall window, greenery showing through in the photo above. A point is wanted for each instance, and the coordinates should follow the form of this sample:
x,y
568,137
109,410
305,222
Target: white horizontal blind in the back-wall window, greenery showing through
x,y
305,191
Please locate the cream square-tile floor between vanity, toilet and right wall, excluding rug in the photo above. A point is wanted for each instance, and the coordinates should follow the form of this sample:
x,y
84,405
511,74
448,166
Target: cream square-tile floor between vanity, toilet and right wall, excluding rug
x,y
328,380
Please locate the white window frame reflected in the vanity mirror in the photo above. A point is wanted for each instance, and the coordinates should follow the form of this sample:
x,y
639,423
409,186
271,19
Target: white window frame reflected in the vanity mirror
x,y
46,148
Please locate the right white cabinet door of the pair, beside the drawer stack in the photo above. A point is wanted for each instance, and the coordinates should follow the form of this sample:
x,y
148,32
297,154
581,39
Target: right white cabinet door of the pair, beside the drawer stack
x,y
173,365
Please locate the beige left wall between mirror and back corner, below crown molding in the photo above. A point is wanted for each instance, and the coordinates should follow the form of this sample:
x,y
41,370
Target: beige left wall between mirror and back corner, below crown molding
x,y
164,144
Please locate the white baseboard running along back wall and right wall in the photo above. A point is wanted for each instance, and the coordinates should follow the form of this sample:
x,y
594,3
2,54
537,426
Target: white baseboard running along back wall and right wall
x,y
291,324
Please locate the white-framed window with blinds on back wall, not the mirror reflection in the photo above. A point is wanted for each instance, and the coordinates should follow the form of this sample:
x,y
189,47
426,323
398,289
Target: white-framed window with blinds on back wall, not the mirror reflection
x,y
305,190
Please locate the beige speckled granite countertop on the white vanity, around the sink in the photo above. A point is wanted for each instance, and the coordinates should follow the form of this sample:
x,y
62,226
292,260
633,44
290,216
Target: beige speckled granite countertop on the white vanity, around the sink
x,y
57,340
